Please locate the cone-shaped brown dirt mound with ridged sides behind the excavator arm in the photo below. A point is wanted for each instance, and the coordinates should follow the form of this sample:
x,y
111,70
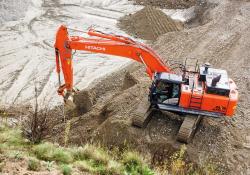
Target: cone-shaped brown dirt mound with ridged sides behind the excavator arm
x,y
149,23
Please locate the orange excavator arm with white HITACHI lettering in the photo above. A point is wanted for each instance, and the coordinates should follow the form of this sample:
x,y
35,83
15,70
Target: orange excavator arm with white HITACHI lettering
x,y
105,44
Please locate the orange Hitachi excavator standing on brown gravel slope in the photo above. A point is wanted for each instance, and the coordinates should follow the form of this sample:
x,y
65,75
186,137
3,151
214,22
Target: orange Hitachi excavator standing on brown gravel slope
x,y
198,91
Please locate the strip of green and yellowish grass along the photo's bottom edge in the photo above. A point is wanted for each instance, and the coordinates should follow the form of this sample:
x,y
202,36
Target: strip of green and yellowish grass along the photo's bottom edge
x,y
89,158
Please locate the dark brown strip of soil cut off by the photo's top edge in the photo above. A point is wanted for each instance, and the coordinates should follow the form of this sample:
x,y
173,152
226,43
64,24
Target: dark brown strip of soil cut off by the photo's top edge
x,y
169,4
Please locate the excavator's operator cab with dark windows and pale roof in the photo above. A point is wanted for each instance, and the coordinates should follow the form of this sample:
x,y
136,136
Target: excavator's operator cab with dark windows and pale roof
x,y
165,89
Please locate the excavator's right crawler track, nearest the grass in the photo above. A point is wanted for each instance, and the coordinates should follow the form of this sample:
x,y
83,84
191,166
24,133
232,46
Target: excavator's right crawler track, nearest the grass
x,y
188,128
